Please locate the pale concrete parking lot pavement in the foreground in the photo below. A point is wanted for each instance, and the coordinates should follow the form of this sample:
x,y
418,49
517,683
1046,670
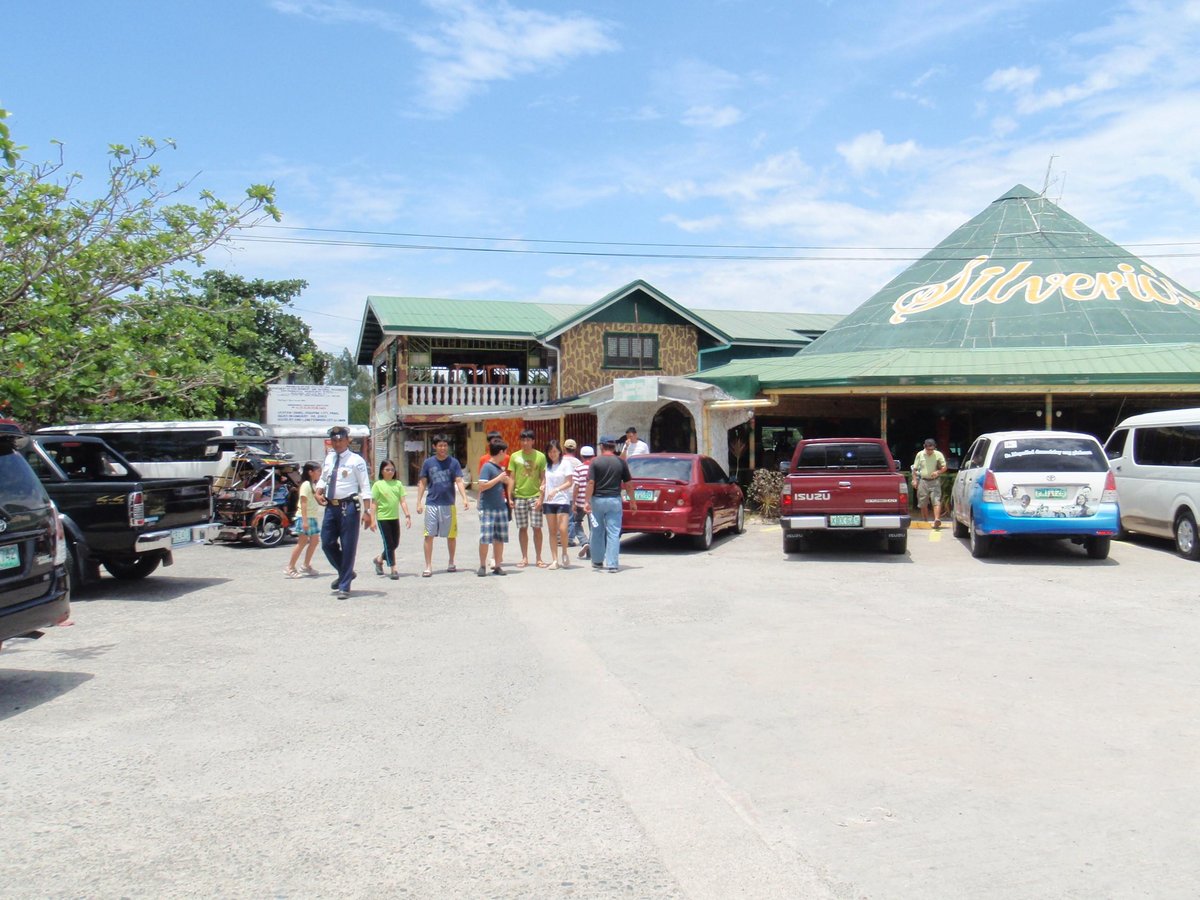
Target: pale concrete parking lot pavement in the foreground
x,y
842,724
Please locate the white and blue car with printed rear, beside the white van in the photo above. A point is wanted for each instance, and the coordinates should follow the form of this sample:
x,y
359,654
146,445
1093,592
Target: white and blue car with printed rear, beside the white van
x,y
1039,484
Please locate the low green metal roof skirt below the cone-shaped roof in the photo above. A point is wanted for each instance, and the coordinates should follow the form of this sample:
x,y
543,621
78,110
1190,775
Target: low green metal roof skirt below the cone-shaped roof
x,y
1109,365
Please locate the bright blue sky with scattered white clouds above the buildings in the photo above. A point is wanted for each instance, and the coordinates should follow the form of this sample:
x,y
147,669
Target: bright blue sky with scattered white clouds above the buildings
x,y
735,154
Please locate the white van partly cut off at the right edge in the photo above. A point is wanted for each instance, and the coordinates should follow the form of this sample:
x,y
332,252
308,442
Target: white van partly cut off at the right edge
x,y
1156,459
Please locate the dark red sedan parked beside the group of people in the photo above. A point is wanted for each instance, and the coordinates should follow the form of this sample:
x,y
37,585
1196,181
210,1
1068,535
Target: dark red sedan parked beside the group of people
x,y
682,494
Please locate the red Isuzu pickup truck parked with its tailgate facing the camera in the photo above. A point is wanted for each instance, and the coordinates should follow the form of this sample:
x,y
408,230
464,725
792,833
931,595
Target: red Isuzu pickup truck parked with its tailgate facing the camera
x,y
845,485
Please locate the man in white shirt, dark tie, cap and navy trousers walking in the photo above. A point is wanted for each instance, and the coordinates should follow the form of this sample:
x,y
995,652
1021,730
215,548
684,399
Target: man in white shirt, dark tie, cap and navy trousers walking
x,y
345,488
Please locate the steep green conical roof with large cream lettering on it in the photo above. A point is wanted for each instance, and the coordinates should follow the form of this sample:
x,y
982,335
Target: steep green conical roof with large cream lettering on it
x,y
1023,274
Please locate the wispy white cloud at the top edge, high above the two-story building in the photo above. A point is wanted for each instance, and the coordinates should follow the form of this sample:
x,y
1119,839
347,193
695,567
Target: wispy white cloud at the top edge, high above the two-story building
x,y
481,44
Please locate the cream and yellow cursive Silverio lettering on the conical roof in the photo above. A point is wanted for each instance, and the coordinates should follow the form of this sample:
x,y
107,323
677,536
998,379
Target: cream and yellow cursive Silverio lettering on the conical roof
x,y
1001,284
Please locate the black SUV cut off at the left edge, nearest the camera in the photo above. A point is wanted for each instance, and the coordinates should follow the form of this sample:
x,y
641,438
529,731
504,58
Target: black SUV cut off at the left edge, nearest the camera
x,y
34,586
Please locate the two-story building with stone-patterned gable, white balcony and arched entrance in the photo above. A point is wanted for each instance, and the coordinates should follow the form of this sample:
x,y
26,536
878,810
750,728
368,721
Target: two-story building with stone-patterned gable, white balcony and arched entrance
x,y
465,368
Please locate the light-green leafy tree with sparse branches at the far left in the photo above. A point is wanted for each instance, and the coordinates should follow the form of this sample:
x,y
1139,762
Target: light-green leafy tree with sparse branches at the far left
x,y
82,278
